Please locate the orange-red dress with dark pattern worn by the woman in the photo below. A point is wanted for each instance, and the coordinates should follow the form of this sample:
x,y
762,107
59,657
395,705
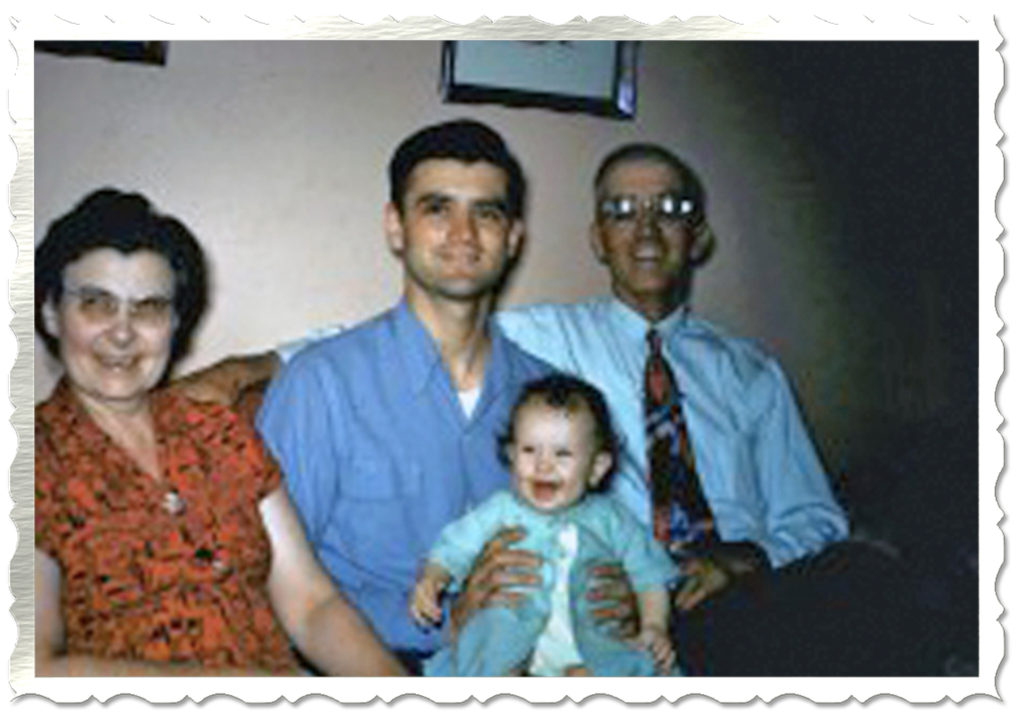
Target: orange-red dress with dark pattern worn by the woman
x,y
169,569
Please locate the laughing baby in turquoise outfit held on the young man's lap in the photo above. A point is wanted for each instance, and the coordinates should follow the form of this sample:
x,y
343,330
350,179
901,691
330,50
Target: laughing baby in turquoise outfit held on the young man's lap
x,y
561,448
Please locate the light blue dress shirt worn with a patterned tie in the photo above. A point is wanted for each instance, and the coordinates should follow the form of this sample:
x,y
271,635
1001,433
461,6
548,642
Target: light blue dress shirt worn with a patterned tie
x,y
759,470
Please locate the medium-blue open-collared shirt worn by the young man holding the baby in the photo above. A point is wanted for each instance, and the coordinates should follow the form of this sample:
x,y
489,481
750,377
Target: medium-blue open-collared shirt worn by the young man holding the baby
x,y
379,456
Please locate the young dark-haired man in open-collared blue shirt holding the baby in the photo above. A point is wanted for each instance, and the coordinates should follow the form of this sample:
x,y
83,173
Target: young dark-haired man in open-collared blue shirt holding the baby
x,y
388,433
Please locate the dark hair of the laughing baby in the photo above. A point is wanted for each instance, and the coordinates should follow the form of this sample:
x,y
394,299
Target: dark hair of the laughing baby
x,y
571,394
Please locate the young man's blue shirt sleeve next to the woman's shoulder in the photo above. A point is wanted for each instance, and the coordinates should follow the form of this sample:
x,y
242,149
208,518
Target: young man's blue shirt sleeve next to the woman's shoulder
x,y
300,421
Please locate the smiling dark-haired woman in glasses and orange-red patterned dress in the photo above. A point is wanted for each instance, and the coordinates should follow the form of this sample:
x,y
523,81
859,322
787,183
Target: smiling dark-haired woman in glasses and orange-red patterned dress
x,y
165,543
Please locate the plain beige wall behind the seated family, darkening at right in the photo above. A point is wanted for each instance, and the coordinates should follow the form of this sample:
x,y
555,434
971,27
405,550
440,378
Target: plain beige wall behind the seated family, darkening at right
x,y
274,154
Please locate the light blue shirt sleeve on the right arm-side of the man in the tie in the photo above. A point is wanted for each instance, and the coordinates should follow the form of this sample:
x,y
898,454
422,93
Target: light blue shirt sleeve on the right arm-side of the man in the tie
x,y
802,514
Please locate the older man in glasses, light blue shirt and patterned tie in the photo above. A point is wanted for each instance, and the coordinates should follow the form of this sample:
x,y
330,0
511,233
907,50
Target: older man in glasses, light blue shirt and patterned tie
x,y
716,455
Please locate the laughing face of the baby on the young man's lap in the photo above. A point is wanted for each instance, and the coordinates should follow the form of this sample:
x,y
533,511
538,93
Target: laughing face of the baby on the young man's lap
x,y
554,455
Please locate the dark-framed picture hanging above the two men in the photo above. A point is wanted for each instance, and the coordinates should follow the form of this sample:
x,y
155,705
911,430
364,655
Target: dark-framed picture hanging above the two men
x,y
594,77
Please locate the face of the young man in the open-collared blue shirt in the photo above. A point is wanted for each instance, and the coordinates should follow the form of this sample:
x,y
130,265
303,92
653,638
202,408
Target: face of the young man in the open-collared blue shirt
x,y
454,232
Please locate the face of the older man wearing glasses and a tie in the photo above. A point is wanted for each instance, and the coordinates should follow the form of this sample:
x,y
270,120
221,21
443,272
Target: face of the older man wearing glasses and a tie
x,y
647,254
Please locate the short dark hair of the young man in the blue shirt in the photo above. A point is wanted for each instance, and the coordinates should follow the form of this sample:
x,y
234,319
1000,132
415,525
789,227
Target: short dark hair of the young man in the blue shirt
x,y
465,141
